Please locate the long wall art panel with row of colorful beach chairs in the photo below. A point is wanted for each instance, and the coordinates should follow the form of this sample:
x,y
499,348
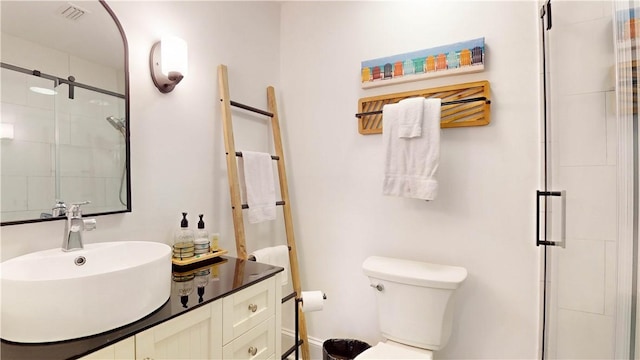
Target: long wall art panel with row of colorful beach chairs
x,y
459,58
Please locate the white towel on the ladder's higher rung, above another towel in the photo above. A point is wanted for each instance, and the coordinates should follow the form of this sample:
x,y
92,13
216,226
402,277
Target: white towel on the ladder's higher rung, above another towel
x,y
261,193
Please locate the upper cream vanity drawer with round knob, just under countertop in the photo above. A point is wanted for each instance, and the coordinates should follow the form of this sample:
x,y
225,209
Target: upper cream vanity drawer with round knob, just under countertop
x,y
247,308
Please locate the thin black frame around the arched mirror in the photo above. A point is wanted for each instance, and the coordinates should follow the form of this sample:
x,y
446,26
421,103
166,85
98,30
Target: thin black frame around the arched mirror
x,y
127,133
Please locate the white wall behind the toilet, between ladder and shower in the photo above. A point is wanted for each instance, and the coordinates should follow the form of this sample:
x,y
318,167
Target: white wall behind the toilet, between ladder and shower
x,y
484,216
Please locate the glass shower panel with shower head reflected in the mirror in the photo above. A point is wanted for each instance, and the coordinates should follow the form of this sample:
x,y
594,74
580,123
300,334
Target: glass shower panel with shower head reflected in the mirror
x,y
92,148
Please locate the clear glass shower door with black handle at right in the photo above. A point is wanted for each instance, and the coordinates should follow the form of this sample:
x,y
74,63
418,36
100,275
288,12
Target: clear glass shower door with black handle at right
x,y
578,199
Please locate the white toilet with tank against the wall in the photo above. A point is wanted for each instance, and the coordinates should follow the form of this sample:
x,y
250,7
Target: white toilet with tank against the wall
x,y
415,307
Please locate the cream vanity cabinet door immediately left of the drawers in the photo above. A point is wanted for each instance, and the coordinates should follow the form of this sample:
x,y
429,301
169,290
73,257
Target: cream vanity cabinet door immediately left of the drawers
x,y
196,334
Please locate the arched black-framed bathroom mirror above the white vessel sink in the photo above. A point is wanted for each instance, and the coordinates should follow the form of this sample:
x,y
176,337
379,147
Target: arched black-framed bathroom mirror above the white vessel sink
x,y
65,110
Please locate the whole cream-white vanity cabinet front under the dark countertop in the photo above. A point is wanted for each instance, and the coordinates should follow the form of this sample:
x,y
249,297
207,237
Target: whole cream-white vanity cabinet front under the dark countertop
x,y
243,325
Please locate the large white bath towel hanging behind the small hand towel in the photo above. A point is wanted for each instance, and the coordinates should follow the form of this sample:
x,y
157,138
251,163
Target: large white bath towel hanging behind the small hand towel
x,y
410,164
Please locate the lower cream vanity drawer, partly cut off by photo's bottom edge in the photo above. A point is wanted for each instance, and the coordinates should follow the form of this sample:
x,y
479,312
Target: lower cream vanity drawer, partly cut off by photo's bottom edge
x,y
257,343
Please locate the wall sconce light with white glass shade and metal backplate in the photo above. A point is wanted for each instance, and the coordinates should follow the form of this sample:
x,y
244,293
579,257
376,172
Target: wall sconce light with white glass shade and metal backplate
x,y
168,61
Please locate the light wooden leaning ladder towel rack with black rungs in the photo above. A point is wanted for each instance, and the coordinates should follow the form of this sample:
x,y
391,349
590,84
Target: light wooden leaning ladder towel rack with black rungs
x,y
234,188
